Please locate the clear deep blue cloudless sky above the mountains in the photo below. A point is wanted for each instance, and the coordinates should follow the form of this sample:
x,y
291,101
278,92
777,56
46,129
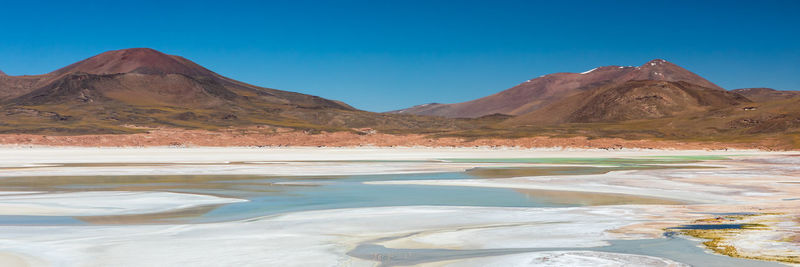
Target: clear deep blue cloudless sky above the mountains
x,y
384,55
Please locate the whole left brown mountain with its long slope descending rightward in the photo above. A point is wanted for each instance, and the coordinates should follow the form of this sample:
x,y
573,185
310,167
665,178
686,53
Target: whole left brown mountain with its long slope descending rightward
x,y
124,90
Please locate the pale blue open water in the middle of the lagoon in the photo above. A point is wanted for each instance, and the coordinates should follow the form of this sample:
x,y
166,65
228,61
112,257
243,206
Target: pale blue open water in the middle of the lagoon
x,y
350,192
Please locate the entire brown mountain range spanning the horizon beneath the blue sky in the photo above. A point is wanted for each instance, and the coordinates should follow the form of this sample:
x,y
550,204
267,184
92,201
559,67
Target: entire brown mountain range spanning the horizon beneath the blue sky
x,y
141,90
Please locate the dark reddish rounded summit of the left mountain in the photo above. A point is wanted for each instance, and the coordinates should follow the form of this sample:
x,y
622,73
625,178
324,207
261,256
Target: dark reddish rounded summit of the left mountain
x,y
136,60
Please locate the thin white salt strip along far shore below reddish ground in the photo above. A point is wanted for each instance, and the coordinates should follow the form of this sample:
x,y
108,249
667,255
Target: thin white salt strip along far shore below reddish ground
x,y
15,157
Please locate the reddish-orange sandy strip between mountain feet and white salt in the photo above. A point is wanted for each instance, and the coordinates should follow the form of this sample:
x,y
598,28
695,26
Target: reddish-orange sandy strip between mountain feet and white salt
x,y
286,137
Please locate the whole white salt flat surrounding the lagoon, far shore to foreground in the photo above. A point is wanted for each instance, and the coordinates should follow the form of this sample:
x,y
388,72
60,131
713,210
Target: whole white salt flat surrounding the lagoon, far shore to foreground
x,y
510,236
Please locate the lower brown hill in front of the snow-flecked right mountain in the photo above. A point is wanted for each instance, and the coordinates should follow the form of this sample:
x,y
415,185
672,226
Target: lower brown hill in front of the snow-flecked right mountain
x,y
632,100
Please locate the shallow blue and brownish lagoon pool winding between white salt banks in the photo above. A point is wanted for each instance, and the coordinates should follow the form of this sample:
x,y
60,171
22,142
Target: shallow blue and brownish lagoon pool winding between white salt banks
x,y
274,195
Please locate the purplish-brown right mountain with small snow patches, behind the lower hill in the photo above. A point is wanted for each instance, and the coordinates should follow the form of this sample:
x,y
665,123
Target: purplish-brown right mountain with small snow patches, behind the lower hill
x,y
542,91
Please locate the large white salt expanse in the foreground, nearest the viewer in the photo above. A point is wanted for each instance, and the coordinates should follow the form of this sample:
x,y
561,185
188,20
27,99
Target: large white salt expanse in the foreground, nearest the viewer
x,y
319,238
